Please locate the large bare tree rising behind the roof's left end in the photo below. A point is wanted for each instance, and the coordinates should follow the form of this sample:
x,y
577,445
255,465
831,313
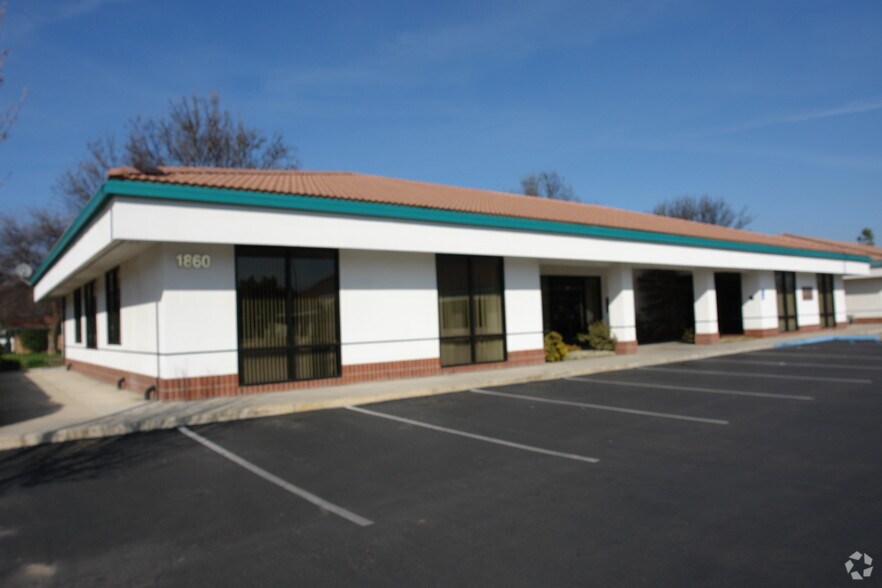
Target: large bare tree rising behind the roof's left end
x,y
196,131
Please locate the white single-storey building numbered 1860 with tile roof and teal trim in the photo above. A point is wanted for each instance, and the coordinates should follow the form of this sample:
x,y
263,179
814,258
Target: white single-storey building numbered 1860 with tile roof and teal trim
x,y
188,283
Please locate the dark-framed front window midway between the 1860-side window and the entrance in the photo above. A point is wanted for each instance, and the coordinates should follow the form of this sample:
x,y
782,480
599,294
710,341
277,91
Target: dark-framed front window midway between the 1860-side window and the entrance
x,y
471,309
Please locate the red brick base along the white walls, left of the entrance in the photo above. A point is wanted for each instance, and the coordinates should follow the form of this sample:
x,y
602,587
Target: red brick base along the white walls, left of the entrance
x,y
228,384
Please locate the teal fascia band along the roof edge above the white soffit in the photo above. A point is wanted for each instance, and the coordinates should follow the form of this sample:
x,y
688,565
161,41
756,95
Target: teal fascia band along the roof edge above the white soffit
x,y
182,193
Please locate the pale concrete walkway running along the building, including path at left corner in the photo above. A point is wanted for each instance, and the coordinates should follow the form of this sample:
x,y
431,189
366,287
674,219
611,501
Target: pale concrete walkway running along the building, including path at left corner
x,y
78,407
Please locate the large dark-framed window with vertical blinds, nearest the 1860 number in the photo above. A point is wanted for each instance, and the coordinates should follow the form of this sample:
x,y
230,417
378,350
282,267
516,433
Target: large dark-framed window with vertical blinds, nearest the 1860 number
x,y
288,314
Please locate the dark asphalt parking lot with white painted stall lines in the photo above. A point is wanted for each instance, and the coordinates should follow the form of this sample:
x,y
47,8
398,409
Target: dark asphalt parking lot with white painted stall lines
x,y
752,469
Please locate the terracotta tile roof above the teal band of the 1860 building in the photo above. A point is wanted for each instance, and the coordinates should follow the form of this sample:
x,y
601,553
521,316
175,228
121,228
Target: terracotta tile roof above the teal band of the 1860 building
x,y
378,189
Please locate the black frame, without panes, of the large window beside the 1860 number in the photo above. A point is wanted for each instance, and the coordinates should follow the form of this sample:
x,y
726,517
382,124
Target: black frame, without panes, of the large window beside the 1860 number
x,y
290,348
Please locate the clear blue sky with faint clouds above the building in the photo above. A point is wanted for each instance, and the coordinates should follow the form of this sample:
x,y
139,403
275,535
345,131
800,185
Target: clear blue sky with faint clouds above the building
x,y
772,105
